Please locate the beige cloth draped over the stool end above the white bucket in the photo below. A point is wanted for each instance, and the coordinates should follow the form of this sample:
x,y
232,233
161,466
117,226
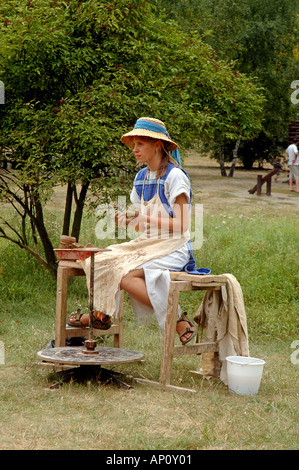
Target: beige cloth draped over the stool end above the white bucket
x,y
222,316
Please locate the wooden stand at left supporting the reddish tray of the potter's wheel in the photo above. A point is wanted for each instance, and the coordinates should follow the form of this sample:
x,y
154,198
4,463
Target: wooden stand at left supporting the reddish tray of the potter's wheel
x,y
68,269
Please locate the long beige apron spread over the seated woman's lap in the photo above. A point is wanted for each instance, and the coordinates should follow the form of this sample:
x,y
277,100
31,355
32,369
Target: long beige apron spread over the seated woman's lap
x,y
110,267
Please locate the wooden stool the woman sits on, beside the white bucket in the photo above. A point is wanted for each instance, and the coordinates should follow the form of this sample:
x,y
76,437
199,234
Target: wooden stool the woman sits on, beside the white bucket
x,y
181,281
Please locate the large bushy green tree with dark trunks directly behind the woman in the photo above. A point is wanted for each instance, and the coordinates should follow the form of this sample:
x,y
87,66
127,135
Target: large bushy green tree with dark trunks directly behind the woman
x,y
77,76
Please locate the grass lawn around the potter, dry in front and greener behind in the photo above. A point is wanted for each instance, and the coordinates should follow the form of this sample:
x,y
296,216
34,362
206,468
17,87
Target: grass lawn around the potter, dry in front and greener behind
x,y
262,253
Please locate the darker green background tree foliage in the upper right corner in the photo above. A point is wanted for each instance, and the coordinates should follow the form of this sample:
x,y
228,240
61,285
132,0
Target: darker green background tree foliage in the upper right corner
x,y
260,37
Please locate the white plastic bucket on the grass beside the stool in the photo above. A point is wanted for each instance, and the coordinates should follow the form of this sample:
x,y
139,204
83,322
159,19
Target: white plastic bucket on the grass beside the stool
x,y
244,374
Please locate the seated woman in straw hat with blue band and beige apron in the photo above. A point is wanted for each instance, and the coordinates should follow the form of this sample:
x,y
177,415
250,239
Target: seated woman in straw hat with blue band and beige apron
x,y
162,194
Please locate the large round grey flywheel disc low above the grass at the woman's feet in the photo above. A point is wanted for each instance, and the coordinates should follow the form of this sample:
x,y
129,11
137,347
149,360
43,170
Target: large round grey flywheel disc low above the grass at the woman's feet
x,y
75,356
